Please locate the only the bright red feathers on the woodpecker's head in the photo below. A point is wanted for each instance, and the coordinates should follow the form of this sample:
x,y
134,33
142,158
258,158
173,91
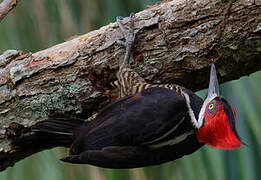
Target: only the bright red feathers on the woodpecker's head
x,y
216,131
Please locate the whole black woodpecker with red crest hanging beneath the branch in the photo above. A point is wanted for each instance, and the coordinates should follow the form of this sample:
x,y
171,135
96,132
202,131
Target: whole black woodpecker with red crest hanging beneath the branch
x,y
148,125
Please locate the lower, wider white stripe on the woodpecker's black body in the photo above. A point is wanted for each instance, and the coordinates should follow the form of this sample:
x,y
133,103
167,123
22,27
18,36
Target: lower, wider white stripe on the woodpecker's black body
x,y
174,141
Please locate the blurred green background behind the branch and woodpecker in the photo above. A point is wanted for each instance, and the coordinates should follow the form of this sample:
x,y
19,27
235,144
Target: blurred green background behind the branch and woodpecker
x,y
38,24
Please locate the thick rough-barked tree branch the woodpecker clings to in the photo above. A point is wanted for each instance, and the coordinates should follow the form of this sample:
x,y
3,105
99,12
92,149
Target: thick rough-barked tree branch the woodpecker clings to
x,y
176,43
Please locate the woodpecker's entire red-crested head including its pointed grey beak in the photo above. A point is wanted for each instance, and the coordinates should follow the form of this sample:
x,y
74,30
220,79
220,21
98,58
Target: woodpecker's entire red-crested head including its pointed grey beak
x,y
217,119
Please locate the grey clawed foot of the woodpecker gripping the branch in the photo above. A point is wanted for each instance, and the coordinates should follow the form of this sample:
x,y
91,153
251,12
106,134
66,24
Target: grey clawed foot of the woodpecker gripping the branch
x,y
129,39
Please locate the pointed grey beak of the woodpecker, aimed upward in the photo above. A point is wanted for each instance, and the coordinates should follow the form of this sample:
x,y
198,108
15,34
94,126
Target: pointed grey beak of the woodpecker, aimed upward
x,y
213,88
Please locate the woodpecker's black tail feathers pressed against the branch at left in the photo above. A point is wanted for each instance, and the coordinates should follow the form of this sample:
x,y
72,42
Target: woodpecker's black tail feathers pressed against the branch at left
x,y
53,132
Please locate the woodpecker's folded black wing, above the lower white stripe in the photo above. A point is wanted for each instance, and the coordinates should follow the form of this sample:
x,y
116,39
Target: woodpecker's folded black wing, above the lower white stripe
x,y
150,117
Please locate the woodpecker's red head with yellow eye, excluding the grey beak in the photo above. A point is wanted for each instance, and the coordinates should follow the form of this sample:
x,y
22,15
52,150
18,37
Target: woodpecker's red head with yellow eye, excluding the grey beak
x,y
219,126
